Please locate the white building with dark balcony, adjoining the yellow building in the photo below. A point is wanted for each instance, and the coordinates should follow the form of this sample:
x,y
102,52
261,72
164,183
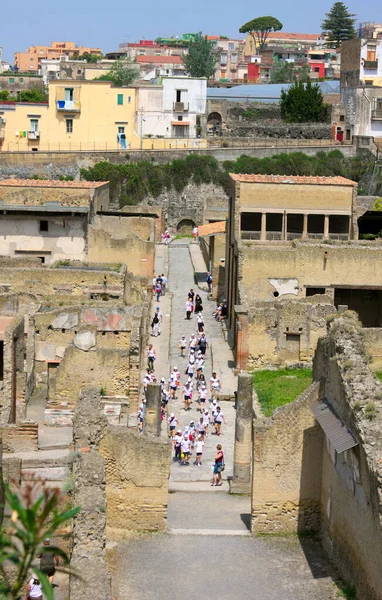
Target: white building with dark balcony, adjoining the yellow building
x,y
174,109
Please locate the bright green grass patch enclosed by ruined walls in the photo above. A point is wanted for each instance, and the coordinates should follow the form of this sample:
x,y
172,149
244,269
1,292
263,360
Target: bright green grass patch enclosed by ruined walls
x,y
276,388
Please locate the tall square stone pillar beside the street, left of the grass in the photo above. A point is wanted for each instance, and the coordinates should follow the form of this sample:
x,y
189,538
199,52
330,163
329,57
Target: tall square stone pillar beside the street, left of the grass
x,y
241,481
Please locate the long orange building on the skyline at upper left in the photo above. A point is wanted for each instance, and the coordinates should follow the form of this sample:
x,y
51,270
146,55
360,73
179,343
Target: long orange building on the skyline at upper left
x,y
30,60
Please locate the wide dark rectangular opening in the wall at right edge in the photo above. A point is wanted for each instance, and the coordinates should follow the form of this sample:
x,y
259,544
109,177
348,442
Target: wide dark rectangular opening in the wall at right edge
x,y
366,302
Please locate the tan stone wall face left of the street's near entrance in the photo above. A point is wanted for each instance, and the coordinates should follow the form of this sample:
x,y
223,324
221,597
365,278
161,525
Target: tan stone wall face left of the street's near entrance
x,y
137,472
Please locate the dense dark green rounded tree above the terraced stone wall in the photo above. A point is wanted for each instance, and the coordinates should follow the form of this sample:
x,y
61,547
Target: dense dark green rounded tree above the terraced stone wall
x,y
303,103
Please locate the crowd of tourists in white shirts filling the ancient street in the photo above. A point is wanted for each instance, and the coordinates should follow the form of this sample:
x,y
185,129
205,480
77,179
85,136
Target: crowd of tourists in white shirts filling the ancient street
x,y
190,384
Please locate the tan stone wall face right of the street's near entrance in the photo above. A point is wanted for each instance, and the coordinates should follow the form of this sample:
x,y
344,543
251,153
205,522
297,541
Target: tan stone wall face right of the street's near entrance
x,y
286,468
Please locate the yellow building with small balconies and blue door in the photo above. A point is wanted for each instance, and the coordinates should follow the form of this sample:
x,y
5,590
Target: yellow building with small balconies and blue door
x,y
81,115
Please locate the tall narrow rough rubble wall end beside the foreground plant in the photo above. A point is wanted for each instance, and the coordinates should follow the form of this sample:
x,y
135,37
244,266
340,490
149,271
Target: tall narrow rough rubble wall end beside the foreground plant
x,y
88,555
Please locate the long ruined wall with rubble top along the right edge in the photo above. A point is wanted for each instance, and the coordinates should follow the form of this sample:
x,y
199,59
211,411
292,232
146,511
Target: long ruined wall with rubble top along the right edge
x,y
351,495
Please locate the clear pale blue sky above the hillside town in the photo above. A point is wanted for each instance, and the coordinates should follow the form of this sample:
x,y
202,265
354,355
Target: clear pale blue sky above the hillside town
x,y
97,23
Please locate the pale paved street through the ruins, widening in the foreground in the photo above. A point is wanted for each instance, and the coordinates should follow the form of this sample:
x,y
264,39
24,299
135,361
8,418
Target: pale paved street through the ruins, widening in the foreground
x,y
208,550
